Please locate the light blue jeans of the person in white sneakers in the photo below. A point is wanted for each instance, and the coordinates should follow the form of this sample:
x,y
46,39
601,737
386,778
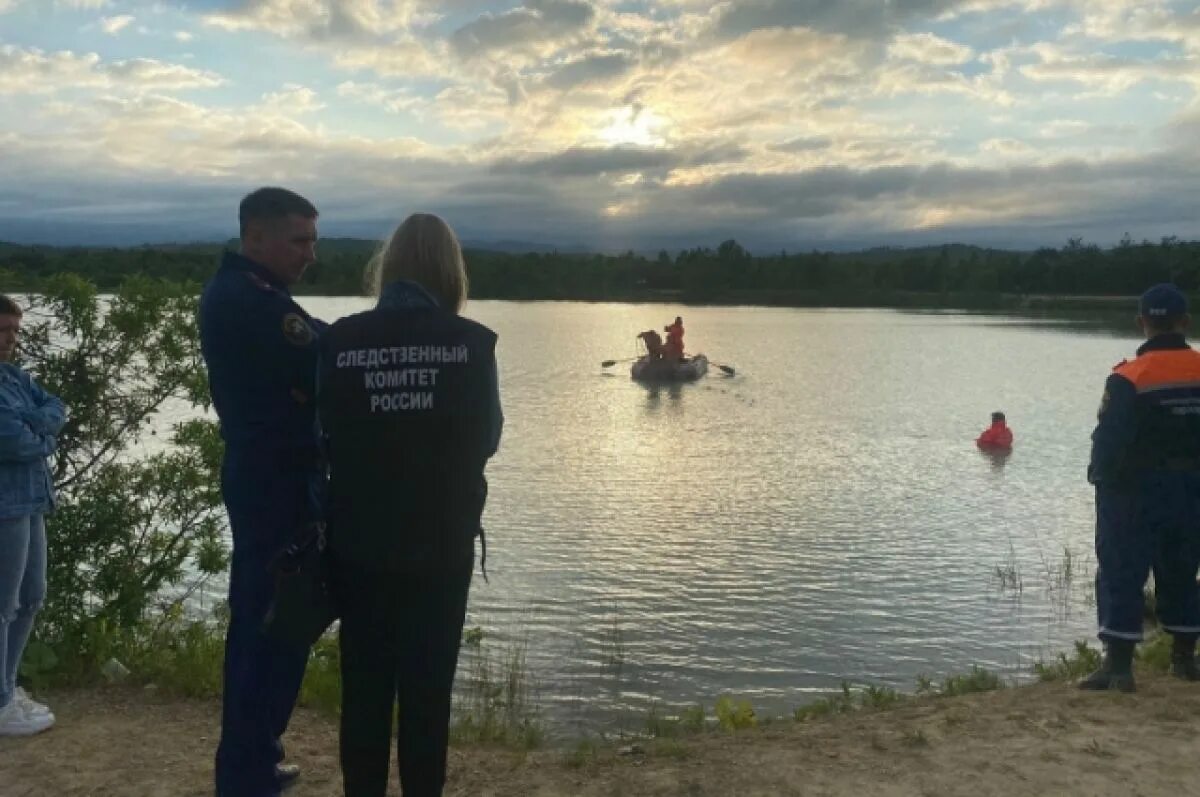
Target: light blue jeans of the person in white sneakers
x,y
22,592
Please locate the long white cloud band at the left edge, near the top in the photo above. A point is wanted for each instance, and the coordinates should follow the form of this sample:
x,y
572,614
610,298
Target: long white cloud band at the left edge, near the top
x,y
33,71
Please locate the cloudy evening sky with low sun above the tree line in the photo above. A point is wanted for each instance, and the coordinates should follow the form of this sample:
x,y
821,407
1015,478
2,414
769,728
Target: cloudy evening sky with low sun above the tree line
x,y
607,124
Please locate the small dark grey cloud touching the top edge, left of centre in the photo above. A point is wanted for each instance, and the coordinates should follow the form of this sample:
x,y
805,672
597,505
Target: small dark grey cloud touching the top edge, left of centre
x,y
537,22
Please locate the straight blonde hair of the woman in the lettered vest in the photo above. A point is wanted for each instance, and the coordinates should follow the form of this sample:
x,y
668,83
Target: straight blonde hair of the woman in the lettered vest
x,y
423,250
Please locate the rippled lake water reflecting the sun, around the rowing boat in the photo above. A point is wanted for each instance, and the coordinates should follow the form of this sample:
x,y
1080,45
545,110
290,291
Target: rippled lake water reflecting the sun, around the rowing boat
x,y
821,517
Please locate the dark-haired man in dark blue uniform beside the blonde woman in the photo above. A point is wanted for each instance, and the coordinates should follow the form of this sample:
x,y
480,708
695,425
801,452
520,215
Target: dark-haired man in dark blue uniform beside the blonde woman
x,y
261,350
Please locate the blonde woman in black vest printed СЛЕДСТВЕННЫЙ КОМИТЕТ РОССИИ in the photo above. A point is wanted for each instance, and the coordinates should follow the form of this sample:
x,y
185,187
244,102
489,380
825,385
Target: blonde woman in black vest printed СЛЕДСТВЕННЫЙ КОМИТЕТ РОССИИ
x,y
410,405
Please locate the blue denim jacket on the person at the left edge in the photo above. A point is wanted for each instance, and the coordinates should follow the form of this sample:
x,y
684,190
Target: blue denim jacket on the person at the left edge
x,y
31,421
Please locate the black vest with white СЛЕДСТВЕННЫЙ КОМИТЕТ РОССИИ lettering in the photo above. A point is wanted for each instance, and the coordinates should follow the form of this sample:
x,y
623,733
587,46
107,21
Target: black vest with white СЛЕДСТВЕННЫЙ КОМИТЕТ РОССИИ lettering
x,y
407,403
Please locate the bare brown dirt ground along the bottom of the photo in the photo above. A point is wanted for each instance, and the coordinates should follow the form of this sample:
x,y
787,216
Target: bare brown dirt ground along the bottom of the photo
x,y
1040,740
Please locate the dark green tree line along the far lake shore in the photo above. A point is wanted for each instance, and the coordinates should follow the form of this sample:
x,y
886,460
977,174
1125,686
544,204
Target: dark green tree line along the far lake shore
x,y
725,274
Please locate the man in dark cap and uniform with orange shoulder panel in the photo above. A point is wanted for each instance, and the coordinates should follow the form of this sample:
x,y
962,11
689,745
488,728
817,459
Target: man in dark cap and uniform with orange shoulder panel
x,y
1147,470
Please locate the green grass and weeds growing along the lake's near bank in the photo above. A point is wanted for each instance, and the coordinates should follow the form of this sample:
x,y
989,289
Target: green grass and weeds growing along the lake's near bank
x,y
495,700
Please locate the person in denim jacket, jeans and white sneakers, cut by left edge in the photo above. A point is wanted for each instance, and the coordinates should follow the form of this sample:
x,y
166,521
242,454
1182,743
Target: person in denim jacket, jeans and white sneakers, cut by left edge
x,y
31,420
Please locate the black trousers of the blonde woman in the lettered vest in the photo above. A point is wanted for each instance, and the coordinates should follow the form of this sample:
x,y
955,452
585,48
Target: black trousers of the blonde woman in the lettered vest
x,y
400,639
